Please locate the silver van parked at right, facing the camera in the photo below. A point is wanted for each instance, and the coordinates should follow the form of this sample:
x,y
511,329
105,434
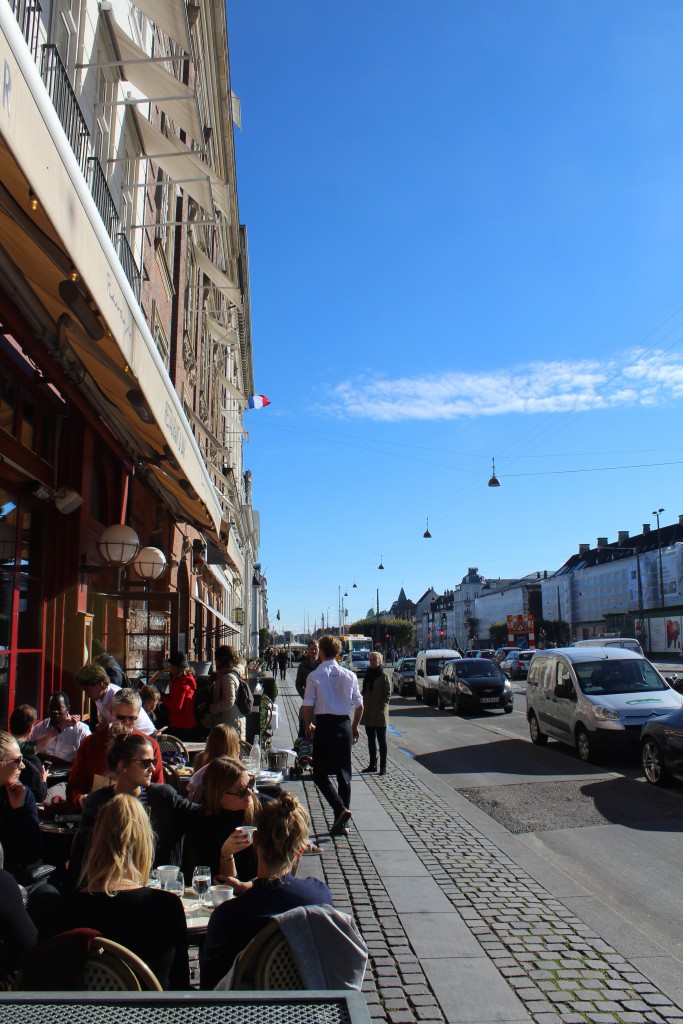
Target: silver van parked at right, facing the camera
x,y
594,698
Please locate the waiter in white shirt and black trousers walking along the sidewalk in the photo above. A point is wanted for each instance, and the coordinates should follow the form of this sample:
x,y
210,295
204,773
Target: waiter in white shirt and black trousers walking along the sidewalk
x,y
332,693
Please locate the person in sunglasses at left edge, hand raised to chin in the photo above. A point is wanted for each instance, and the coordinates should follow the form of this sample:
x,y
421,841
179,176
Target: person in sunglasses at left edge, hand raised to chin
x,y
20,834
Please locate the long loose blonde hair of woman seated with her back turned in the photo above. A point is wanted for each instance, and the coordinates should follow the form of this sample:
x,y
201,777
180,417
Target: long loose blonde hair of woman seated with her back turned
x,y
122,847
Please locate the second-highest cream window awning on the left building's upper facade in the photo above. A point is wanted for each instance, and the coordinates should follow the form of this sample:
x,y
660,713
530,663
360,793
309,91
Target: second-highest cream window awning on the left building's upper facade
x,y
172,96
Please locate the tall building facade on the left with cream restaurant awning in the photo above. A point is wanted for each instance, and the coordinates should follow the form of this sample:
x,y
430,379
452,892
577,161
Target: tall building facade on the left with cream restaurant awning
x,y
125,343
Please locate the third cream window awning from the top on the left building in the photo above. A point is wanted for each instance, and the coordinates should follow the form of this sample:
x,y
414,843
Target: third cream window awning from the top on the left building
x,y
184,166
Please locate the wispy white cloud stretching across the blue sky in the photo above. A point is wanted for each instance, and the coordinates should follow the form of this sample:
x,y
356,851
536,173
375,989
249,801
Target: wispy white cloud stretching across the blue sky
x,y
638,378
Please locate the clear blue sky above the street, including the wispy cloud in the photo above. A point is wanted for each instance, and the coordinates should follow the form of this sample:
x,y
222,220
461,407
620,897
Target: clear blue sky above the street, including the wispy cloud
x,y
466,235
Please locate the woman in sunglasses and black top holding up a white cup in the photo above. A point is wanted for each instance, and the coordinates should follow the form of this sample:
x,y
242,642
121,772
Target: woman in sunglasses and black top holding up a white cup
x,y
229,802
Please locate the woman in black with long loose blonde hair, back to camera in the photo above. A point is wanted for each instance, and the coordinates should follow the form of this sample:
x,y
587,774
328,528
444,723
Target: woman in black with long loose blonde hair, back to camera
x,y
113,898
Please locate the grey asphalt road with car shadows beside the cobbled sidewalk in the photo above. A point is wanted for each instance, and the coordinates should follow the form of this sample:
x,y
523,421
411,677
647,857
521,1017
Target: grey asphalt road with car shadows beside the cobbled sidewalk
x,y
603,827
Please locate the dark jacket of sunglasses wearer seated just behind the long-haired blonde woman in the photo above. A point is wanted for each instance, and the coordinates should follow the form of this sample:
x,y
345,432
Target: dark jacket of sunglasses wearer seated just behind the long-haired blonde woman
x,y
170,816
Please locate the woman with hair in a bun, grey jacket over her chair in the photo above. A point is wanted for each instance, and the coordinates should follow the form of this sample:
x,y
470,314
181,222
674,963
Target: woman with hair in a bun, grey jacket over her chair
x,y
281,837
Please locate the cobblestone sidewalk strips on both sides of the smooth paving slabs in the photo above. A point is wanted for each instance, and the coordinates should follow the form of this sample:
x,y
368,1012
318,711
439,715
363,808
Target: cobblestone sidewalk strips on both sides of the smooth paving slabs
x,y
562,971
